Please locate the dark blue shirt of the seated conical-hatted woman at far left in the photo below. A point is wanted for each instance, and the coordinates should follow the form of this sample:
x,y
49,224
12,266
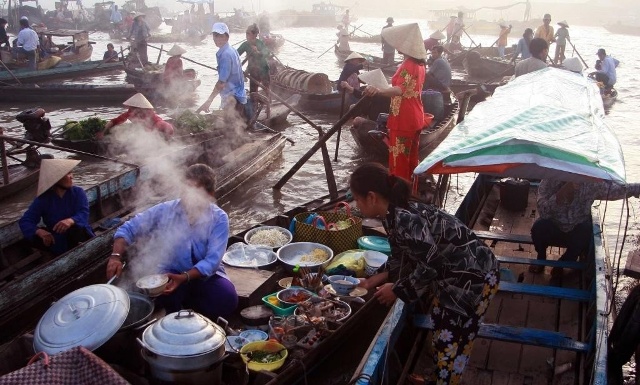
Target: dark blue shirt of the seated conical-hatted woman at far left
x,y
51,209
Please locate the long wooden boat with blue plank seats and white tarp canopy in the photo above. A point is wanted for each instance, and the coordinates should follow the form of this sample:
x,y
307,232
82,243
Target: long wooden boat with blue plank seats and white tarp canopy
x,y
540,328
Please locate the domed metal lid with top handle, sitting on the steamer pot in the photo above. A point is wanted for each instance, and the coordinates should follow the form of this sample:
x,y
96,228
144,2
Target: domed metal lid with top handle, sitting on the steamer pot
x,y
184,333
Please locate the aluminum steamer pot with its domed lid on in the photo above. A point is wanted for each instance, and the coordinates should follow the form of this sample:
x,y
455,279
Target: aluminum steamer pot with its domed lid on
x,y
183,341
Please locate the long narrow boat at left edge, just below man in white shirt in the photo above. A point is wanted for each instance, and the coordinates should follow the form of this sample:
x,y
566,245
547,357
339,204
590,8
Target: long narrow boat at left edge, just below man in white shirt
x,y
63,70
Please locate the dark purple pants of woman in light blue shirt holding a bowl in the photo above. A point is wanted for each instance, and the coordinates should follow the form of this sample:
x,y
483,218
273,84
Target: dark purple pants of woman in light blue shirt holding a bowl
x,y
212,297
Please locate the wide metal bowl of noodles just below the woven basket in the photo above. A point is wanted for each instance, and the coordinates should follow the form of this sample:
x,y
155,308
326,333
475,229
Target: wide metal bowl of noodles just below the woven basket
x,y
310,255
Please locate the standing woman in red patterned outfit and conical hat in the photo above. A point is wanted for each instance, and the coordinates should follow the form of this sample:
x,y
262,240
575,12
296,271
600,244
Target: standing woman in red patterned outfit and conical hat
x,y
406,114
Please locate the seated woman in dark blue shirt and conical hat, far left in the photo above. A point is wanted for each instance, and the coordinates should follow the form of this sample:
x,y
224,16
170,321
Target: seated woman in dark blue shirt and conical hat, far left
x,y
61,206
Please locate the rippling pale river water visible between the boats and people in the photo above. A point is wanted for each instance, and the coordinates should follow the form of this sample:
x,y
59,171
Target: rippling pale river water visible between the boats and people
x,y
257,201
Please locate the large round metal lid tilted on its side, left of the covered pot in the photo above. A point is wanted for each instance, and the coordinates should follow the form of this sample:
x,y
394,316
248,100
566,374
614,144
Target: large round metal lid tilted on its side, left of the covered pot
x,y
87,317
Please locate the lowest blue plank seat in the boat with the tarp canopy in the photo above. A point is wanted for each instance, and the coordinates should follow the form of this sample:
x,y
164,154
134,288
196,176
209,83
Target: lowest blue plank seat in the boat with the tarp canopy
x,y
528,336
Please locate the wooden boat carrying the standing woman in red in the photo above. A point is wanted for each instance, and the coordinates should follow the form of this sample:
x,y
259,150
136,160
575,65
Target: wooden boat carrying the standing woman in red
x,y
373,142
